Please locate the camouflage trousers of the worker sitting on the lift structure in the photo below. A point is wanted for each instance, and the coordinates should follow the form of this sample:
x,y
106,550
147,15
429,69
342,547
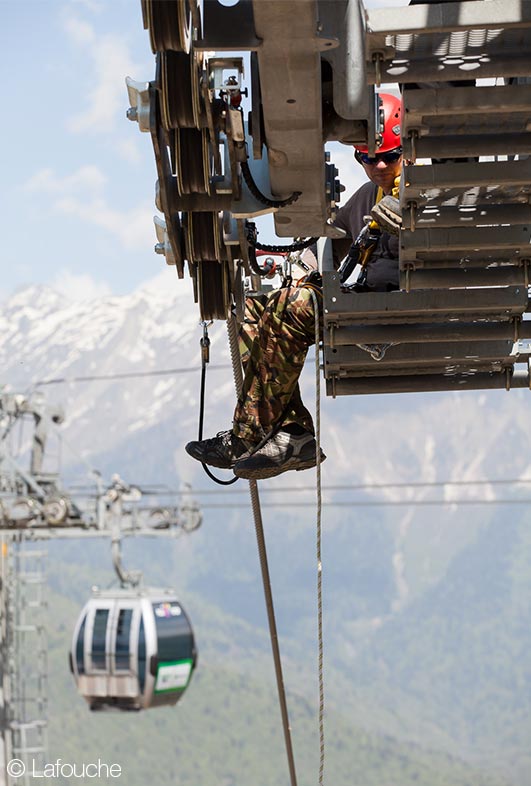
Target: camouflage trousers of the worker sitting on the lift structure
x,y
274,339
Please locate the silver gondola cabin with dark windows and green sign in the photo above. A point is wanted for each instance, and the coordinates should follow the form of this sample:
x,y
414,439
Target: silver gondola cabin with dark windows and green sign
x,y
132,649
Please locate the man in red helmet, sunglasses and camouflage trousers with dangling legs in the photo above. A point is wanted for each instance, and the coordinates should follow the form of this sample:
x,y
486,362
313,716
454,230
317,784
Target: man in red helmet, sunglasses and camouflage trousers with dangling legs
x,y
275,341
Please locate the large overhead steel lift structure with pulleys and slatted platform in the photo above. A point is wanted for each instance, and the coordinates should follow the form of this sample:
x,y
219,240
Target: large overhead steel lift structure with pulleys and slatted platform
x,y
314,69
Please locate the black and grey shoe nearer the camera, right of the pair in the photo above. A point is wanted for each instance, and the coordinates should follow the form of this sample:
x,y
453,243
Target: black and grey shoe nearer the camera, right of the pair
x,y
281,453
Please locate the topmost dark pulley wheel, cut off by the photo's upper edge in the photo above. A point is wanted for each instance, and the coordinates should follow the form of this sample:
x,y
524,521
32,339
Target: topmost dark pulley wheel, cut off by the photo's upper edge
x,y
169,23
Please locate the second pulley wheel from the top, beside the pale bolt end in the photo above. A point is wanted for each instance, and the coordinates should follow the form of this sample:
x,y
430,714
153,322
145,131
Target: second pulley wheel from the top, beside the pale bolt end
x,y
179,81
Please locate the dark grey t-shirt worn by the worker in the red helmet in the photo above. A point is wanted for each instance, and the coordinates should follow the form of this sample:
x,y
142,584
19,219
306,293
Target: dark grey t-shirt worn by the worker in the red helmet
x,y
382,268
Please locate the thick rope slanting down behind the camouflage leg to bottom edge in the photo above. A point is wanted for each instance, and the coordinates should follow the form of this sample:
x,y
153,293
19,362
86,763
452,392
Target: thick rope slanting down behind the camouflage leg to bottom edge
x,y
266,580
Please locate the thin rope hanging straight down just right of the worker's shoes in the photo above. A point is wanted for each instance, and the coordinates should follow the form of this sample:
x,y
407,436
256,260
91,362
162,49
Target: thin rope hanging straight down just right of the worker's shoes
x,y
318,539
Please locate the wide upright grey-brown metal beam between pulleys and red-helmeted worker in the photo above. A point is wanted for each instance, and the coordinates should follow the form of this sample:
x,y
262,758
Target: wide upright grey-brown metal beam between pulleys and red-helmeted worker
x,y
290,77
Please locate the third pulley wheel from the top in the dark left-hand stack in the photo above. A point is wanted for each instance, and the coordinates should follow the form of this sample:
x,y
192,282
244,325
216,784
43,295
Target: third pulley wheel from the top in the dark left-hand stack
x,y
191,160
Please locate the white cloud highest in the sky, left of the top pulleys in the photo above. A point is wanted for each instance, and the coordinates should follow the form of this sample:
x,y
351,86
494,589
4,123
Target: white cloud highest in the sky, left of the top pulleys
x,y
110,61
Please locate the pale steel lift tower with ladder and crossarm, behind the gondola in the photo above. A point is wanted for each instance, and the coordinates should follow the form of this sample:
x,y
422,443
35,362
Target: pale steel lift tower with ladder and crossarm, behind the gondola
x,y
35,508
